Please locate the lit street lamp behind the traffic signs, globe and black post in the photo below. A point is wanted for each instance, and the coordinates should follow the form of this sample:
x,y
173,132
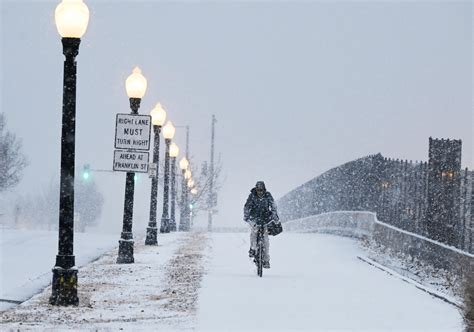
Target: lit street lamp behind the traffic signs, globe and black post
x,y
136,86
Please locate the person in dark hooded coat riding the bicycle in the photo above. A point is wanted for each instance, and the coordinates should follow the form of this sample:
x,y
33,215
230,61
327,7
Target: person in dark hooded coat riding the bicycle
x,y
260,209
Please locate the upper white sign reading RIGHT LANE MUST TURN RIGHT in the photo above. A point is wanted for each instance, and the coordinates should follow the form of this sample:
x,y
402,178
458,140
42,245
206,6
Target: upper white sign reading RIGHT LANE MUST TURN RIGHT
x,y
132,132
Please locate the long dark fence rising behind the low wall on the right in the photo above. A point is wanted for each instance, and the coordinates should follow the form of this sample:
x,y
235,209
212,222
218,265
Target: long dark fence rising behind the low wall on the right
x,y
398,192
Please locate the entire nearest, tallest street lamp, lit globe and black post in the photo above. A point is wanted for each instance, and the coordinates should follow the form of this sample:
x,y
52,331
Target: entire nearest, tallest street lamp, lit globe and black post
x,y
72,17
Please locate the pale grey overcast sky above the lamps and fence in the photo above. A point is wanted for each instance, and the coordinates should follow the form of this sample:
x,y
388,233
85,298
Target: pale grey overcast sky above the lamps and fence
x,y
297,87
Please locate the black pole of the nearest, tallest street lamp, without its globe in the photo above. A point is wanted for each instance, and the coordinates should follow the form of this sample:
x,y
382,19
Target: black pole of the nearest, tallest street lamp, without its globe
x,y
64,284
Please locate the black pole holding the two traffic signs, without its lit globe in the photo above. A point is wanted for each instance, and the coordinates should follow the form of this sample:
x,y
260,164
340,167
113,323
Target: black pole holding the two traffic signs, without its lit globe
x,y
125,255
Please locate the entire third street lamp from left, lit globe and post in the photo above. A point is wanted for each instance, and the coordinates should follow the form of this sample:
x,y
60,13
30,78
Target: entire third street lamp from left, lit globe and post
x,y
158,117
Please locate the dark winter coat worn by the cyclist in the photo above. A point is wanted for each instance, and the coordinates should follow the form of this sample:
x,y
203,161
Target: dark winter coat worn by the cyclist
x,y
260,210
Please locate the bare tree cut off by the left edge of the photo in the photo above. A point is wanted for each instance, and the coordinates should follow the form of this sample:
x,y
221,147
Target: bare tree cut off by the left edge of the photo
x,y
12,160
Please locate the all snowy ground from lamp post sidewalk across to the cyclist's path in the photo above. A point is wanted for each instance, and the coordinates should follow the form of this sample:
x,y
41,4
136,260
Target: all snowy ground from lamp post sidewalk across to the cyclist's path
x,y
206,282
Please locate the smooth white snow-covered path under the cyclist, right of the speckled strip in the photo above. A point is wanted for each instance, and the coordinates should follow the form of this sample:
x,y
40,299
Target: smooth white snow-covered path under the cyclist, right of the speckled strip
x,y
315,283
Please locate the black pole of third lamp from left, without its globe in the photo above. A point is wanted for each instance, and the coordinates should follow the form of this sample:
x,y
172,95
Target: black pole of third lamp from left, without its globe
x,y
152,230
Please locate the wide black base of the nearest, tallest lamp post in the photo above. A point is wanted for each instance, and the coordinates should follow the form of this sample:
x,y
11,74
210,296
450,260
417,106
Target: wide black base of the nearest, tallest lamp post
x,y
64,287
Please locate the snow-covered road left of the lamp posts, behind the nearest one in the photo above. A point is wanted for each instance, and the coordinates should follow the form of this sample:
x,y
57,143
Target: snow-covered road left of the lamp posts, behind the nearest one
x,y
27,257
